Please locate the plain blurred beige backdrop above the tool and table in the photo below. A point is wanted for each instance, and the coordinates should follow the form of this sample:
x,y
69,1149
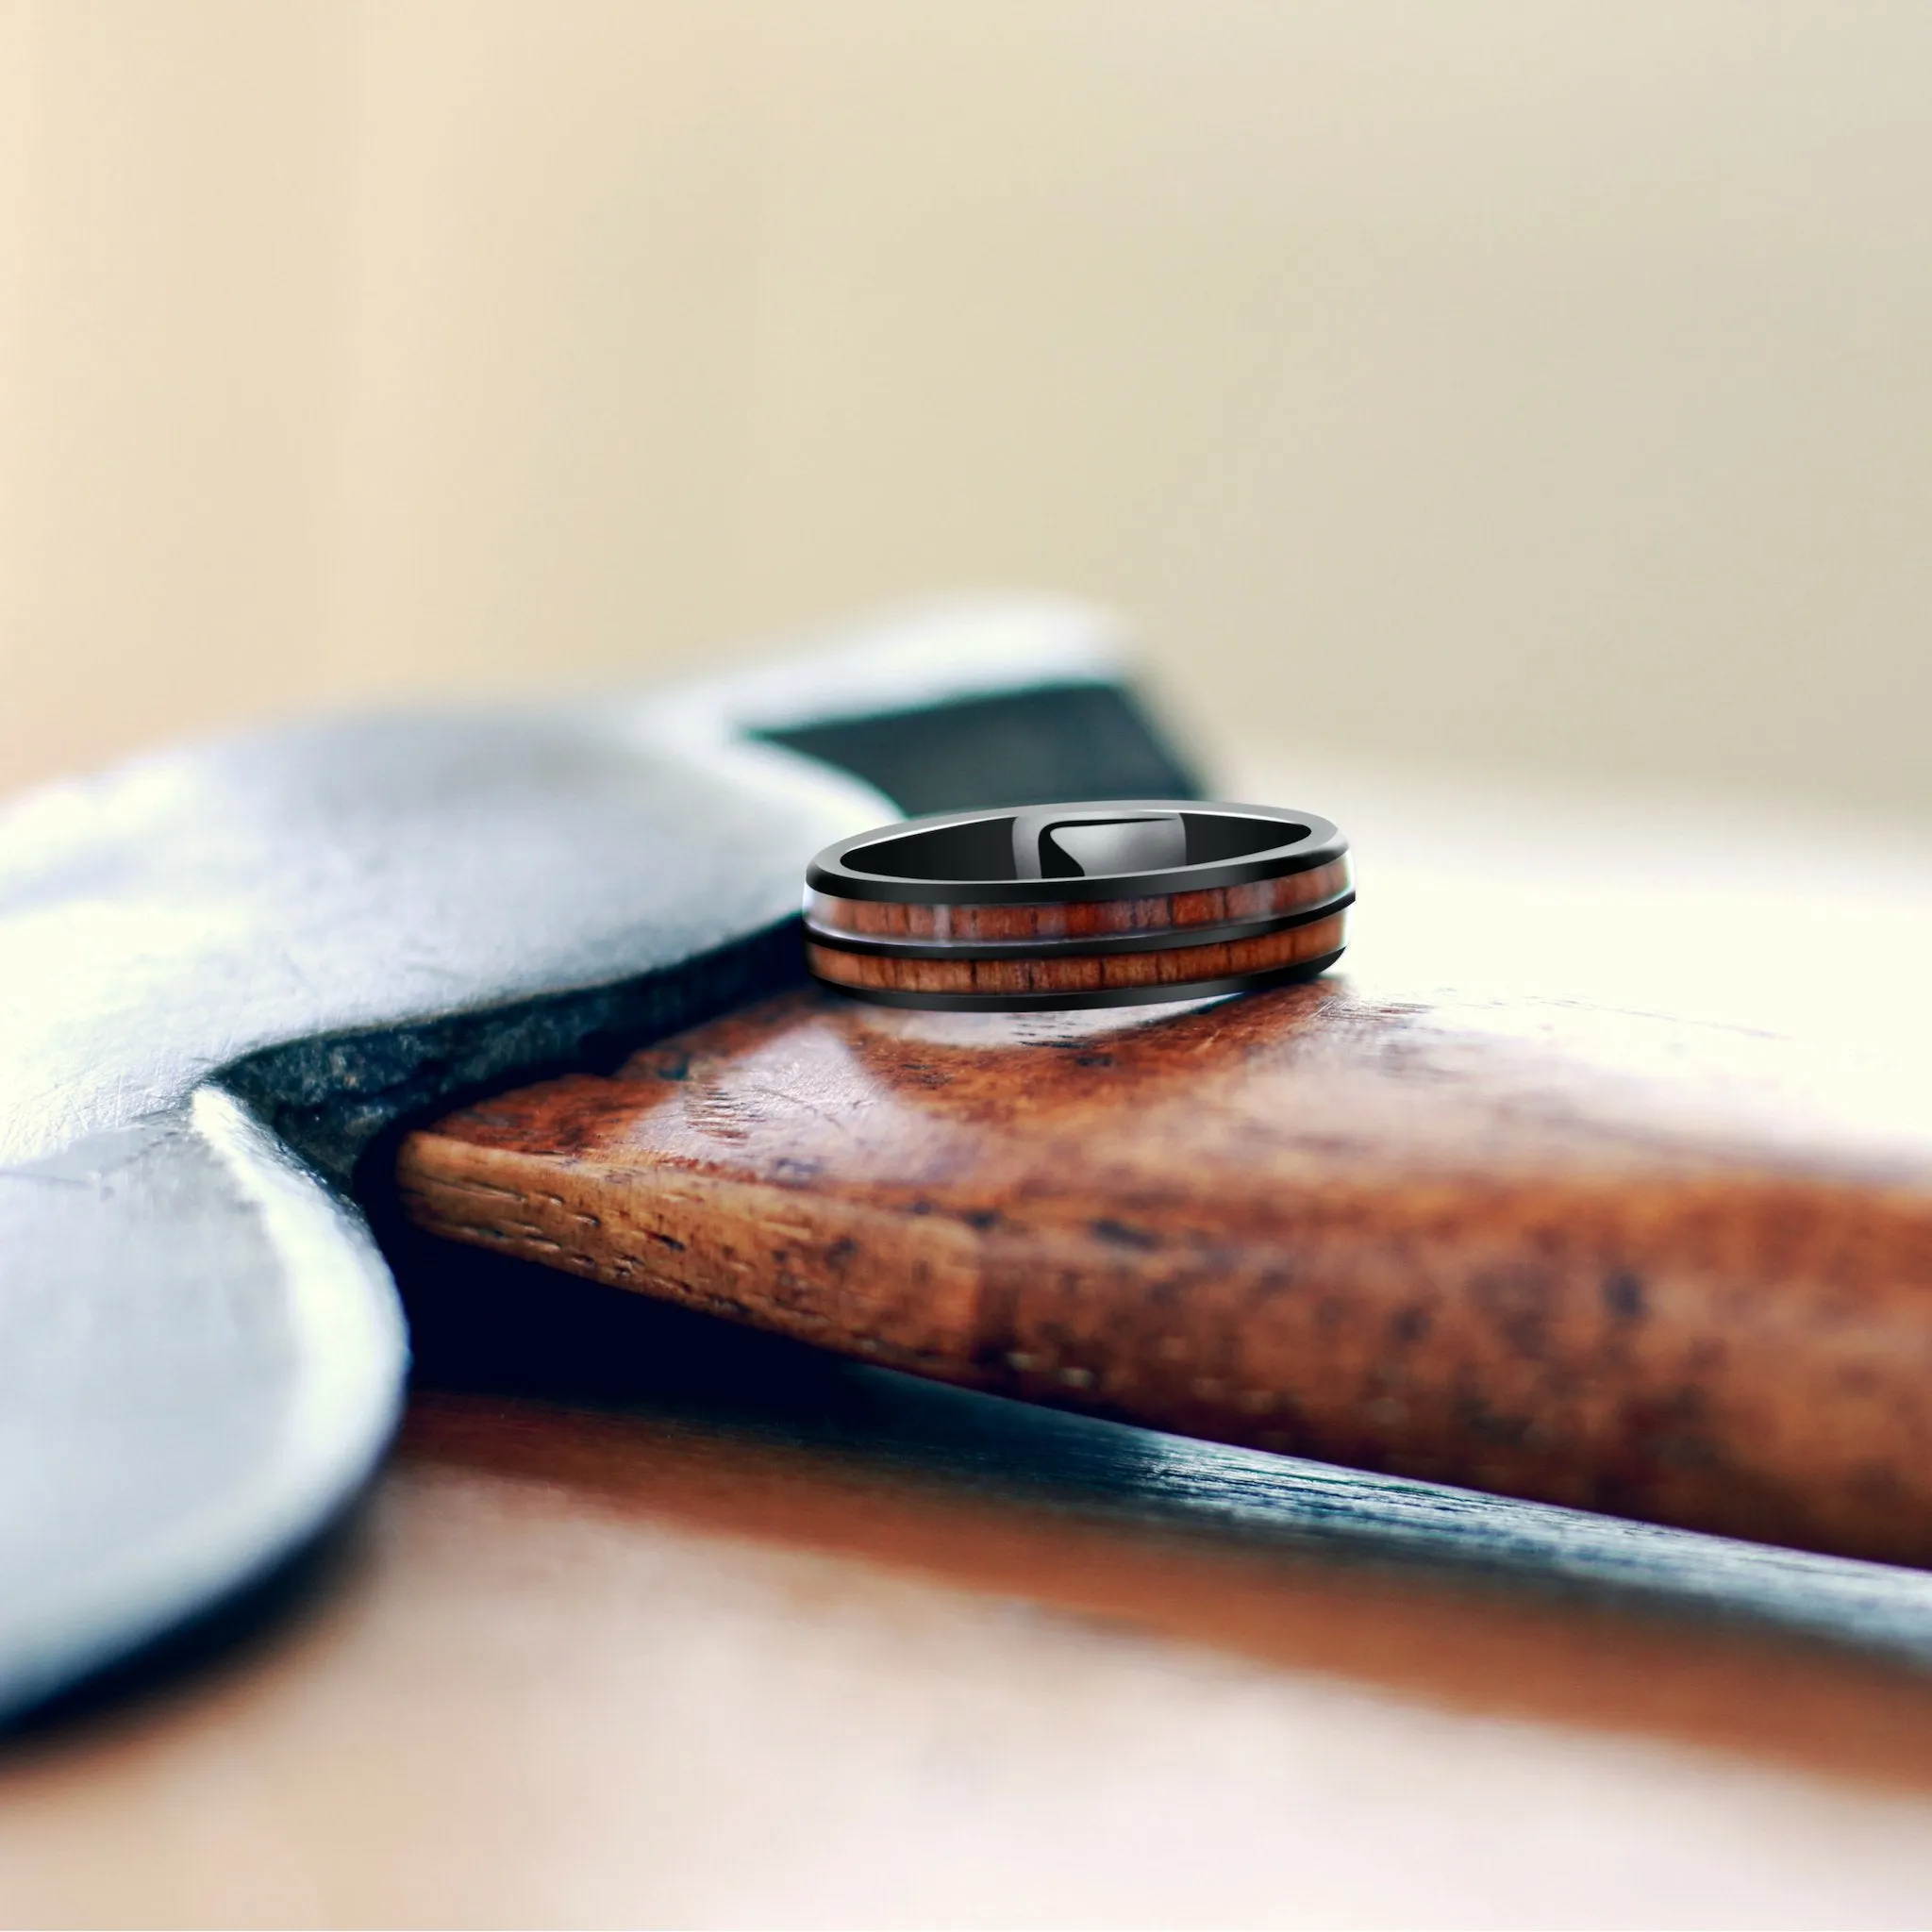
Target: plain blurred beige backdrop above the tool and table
x,y
1467,387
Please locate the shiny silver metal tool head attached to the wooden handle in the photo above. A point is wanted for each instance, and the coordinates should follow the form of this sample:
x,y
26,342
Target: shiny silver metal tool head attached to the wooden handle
x,y
229,969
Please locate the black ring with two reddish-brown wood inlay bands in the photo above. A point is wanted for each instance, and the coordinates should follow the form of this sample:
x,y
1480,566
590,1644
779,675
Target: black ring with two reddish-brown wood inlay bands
x,y
1096,905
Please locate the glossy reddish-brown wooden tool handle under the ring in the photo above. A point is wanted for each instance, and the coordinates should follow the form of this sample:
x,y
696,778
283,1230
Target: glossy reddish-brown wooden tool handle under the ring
x,y
1545,1251
